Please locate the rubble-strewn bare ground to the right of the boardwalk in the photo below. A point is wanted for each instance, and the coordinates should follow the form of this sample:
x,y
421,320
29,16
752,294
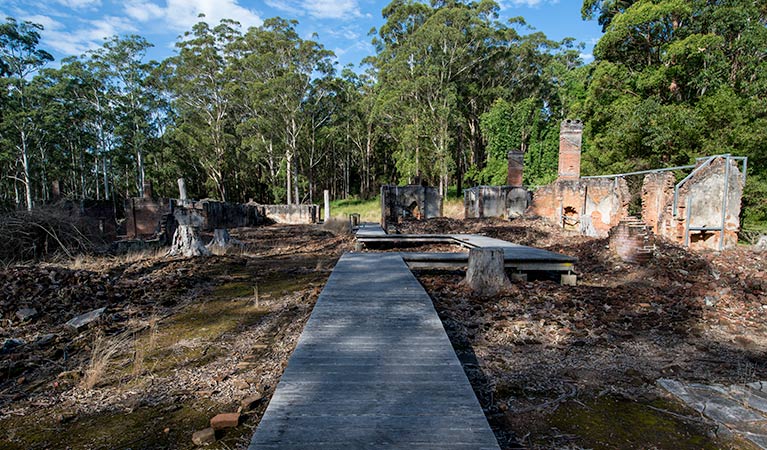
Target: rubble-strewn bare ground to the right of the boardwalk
x,y
575,367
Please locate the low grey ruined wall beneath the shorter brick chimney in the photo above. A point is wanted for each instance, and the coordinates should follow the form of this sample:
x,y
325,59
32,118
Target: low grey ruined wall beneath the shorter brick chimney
x,y
495,201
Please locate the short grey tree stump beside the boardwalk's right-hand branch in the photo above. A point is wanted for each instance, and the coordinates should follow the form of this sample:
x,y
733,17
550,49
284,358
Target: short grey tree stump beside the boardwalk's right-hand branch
x,y
485,275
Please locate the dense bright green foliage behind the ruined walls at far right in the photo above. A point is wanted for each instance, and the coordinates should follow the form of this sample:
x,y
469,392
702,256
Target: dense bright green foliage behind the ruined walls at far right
x,y
675,80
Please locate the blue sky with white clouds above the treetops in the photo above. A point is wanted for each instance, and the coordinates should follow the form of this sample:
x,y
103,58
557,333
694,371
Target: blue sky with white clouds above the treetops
x,y
75,26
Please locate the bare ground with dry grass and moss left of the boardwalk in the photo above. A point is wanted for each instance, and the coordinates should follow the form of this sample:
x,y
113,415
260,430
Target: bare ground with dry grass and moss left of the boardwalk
x,y
181,340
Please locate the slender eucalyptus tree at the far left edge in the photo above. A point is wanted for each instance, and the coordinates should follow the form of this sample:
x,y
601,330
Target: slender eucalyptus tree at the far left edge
x,y
20,58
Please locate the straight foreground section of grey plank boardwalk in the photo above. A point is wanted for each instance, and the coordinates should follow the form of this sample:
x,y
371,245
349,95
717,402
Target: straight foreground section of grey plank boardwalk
x,y
373,369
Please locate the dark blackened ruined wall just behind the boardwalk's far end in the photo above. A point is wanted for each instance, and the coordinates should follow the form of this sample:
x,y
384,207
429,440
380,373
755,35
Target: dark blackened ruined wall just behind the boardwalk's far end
x,y
411,201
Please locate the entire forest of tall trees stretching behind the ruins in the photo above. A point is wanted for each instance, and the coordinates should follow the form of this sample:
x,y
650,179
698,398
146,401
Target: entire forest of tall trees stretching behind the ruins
x,y
264,114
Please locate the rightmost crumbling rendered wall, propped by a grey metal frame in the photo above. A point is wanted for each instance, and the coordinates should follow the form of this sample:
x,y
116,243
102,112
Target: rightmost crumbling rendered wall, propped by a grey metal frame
x,y
703,198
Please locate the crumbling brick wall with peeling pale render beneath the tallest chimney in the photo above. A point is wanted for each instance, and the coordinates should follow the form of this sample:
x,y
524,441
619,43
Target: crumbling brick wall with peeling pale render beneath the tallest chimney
x,y
591,206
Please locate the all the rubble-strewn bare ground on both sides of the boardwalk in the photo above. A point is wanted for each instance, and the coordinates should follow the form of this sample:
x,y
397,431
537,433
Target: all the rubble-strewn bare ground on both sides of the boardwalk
x,y
553,366
